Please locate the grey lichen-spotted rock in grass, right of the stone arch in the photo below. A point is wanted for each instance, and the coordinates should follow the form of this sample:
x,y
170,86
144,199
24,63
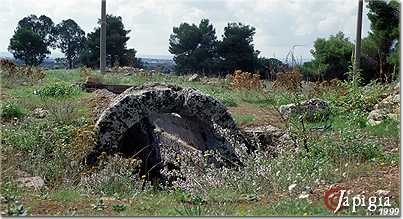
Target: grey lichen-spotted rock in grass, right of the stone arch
x,y
312,109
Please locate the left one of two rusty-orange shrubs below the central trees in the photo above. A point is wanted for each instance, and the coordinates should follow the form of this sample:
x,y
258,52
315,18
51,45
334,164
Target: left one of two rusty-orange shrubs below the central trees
x,y
244,80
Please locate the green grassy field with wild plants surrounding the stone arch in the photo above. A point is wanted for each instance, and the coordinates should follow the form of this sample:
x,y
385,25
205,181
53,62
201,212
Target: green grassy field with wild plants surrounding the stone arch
x,y
350,153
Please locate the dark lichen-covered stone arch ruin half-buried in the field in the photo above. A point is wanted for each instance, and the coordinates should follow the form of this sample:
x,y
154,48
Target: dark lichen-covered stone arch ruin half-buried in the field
x,y
142,121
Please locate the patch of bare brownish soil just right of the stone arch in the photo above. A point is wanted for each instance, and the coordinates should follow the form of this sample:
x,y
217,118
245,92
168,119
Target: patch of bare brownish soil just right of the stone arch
x,y
264,116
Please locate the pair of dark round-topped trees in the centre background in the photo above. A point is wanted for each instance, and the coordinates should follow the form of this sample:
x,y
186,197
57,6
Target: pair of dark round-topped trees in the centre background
x,y
197,50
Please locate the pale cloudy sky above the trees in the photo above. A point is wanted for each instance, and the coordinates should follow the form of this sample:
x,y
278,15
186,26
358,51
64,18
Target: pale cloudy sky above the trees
x,y
279,24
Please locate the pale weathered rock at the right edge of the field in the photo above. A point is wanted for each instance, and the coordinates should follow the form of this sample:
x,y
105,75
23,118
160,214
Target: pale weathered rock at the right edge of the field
x,y
387,108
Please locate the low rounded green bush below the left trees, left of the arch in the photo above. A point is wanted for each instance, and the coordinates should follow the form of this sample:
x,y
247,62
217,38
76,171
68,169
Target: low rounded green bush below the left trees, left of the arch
x,y
58,89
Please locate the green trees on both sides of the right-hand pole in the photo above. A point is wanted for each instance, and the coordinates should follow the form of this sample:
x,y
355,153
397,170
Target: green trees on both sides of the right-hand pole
x,y
380,49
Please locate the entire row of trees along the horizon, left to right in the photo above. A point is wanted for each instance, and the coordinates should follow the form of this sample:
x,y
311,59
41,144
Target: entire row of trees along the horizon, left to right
x,y
196,48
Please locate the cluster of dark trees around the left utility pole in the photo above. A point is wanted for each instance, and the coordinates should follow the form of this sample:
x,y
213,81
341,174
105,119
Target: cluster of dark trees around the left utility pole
x,y
35,36
